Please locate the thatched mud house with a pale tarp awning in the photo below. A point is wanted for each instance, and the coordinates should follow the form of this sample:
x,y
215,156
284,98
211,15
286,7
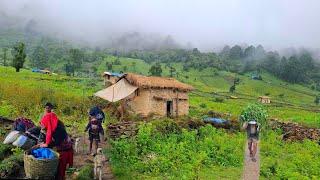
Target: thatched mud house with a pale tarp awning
x,y
149,95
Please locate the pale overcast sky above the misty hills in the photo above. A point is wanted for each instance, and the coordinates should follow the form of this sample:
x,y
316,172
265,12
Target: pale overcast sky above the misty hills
x,y
204,23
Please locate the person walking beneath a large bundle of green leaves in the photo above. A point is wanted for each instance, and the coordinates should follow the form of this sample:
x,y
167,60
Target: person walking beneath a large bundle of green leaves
x,y
252,129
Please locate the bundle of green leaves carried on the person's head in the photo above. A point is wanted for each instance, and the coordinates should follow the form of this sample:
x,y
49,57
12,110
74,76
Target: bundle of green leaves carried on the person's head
x,y
254,112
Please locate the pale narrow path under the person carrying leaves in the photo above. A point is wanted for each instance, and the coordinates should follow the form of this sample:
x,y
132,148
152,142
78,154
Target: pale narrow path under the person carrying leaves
x,y
251,169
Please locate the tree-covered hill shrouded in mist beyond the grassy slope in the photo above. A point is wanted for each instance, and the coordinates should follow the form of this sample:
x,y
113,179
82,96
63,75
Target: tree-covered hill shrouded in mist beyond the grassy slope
x,y
56,54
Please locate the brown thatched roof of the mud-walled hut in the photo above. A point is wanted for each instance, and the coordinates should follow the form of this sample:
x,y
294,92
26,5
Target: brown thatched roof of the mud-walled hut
x,y
156,82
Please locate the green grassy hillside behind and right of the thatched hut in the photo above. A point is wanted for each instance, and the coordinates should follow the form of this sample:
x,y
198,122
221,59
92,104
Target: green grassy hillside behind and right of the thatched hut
x,y
290,102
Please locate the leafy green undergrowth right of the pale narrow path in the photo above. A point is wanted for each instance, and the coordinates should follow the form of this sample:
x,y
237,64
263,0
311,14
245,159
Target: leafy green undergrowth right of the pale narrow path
x,y
288,160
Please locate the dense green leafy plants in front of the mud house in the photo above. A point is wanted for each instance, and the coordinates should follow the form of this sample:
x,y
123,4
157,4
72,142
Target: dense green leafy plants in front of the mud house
x,y
177,154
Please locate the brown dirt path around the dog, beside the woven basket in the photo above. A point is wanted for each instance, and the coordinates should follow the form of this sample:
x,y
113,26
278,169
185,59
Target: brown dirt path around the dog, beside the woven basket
x,y
80,159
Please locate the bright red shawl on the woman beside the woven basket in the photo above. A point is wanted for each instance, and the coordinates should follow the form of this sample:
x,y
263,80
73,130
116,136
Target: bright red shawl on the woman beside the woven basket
x,y
50,122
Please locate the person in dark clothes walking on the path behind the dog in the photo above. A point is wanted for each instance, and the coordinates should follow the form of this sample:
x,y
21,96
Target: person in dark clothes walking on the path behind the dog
x,y
94,129
